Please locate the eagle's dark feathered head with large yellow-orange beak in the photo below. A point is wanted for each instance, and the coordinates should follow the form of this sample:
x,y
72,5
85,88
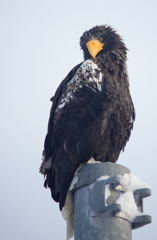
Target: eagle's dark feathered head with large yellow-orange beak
x,y
99,40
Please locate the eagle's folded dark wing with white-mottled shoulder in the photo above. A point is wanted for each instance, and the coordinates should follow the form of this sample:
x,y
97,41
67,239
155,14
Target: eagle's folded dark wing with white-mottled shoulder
x,y
73,129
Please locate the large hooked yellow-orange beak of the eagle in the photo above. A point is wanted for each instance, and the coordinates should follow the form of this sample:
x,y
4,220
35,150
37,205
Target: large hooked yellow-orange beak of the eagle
x,y
94,46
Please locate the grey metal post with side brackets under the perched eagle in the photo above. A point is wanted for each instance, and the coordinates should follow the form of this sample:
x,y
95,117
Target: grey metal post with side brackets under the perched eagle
x,y
96,215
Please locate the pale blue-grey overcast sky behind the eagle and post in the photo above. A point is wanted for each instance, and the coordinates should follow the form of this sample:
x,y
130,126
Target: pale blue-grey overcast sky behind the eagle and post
x,y
39,45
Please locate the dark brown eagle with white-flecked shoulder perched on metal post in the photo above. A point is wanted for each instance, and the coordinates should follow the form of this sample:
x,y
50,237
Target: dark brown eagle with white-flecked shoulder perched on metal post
x,y
92,112
